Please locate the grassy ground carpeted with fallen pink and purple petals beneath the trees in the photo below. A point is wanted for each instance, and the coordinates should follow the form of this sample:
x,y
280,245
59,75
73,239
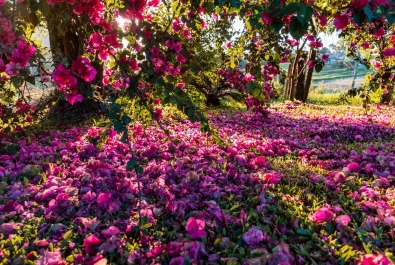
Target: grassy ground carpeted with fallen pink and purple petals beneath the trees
x,y
304,185
